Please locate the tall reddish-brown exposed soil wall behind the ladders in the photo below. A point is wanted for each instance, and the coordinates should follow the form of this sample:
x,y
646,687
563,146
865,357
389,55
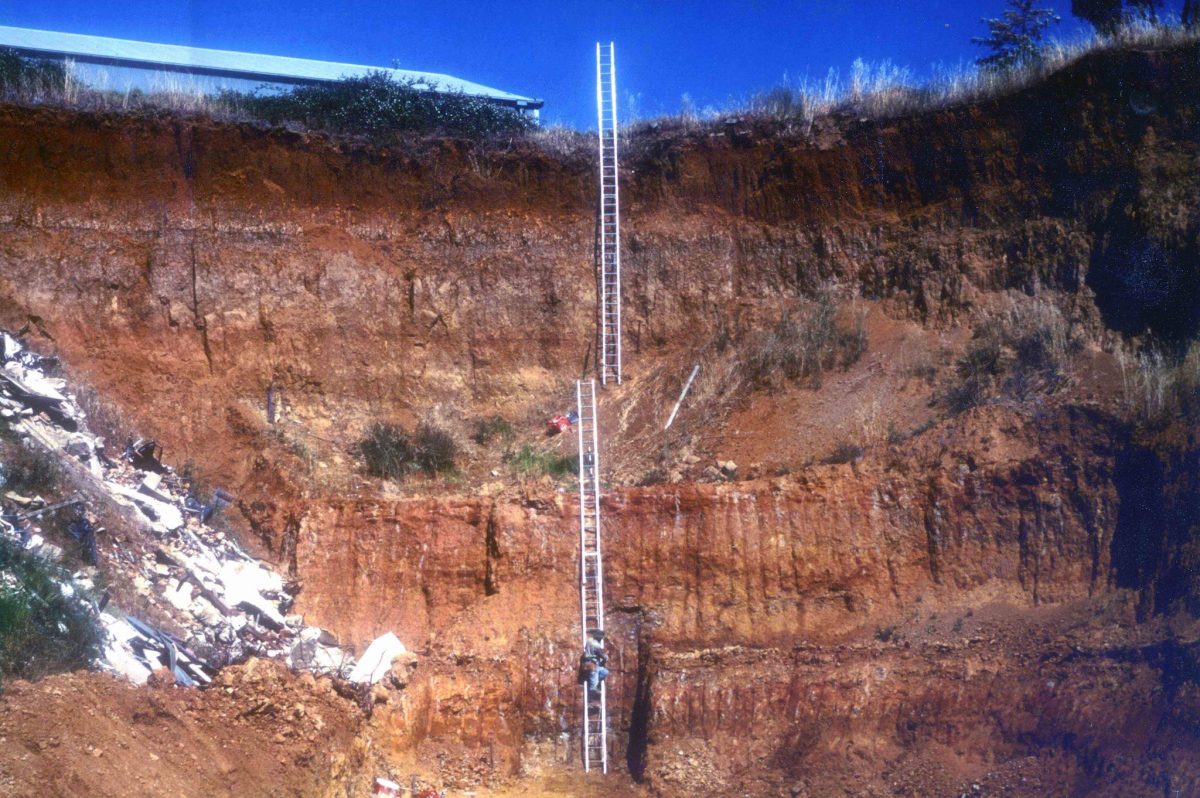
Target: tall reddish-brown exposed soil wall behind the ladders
x,y
793,633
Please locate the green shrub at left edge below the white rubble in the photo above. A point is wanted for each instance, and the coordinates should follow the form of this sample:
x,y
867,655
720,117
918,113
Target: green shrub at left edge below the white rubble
x,y
43,631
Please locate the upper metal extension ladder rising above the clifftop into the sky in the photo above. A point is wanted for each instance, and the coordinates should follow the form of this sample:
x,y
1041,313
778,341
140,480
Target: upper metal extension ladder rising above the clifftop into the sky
x,y
610,217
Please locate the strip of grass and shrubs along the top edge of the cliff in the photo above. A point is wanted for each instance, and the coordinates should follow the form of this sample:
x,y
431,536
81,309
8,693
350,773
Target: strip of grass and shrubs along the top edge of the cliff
x,y
379,106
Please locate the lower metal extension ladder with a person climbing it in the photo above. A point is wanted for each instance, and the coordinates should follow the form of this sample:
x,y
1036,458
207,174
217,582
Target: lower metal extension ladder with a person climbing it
x,y
596,718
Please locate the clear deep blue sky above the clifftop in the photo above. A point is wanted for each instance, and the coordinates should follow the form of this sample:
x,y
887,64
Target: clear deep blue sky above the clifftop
x,y
713,52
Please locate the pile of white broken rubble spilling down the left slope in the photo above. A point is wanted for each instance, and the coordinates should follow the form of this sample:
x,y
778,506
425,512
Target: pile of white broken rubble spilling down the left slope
x,y
230,605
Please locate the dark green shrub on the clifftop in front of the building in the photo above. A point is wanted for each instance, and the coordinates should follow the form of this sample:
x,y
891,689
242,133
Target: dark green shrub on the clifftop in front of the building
x,y
379,104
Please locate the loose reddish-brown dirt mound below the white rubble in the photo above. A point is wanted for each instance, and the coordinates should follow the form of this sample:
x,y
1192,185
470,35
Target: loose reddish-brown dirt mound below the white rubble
x,y
260,731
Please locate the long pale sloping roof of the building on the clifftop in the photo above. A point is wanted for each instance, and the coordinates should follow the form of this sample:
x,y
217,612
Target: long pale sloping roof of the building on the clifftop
x,y
231,64
